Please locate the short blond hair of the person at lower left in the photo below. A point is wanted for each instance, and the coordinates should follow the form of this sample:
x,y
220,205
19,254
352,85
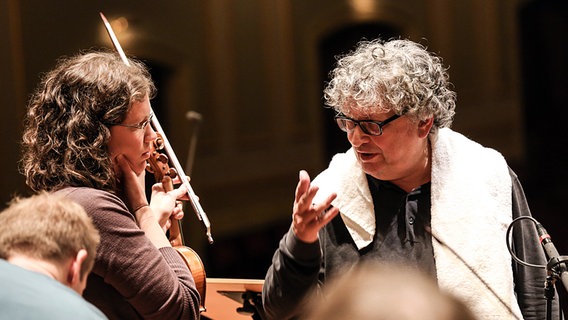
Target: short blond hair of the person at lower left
x,y
47,227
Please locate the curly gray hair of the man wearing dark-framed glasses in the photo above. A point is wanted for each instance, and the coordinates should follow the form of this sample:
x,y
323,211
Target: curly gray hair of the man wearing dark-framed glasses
x,y
397,75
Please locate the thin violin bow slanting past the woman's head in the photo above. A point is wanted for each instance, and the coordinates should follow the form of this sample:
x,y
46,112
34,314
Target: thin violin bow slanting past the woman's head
x,y
193,199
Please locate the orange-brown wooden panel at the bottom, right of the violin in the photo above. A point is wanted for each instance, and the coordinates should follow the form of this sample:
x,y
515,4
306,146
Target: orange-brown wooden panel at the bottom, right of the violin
x,y
232,299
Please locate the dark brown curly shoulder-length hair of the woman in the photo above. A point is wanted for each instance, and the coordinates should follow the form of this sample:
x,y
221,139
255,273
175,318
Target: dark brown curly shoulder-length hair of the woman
x,y
66,130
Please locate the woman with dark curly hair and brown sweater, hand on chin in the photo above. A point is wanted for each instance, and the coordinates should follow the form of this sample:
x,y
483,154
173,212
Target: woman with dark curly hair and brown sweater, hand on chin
x,y
87,136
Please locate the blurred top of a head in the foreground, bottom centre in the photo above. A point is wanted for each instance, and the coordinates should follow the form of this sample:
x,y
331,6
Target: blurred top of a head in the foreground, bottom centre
x,y
373,291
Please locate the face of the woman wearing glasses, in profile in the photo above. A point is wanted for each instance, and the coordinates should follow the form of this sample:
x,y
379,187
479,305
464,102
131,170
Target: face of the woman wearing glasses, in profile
x,y
131,138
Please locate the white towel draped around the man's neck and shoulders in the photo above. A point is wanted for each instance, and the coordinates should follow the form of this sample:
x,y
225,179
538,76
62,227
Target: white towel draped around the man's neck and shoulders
x,y
471,210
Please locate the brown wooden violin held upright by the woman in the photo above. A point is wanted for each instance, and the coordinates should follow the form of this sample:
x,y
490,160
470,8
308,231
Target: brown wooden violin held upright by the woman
x,y
158,165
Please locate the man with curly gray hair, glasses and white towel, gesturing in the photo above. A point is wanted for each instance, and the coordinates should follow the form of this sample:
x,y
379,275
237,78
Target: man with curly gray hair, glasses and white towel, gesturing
x,y
410,191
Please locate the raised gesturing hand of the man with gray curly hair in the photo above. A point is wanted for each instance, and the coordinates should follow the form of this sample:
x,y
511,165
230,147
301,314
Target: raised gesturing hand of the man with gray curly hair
x,y
308,217
